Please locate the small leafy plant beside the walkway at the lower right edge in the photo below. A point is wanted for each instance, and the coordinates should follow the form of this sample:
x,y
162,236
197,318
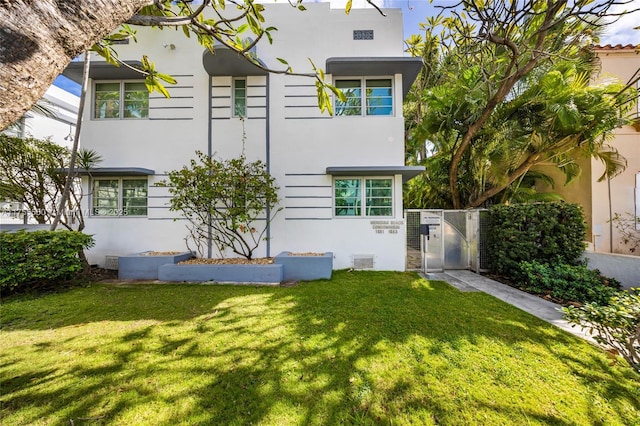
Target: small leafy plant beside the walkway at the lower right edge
x,y
616,325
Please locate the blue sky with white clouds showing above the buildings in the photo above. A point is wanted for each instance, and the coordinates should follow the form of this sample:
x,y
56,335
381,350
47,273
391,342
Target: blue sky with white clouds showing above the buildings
x,y
415,11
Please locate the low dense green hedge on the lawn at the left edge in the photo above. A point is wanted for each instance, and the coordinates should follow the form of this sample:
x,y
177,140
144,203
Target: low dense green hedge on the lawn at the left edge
x,y
41,257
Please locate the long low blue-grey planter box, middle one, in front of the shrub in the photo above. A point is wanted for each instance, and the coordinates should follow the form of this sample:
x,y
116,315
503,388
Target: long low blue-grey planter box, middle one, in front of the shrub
x,y
264,274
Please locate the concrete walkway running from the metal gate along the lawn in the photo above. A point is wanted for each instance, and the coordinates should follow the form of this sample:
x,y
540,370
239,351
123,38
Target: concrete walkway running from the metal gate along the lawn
x,y
543,309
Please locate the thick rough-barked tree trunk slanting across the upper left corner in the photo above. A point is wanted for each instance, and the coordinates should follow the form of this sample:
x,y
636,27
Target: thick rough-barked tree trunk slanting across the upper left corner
x,y
38,39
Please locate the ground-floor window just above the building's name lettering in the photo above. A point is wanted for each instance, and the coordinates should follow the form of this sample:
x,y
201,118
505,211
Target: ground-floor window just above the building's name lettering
x,y
375,200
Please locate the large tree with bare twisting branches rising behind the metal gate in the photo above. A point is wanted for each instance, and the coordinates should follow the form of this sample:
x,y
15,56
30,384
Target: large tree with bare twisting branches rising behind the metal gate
x,y
485,62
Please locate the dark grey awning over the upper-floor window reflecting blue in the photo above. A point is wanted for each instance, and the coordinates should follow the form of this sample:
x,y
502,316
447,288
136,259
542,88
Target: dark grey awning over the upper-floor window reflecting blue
x,y
375,66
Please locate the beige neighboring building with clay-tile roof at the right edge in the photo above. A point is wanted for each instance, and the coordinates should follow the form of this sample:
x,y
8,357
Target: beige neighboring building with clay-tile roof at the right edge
x,y
602,200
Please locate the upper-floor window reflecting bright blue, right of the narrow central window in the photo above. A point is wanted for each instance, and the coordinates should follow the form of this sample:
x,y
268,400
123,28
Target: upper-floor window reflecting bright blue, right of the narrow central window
x,y
377,97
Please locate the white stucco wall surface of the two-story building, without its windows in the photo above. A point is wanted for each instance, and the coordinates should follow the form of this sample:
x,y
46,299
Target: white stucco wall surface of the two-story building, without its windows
x,y
301,141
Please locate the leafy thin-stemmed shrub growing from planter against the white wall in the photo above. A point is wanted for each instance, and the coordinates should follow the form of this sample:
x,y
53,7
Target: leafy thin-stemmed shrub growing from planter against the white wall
x,y
224,200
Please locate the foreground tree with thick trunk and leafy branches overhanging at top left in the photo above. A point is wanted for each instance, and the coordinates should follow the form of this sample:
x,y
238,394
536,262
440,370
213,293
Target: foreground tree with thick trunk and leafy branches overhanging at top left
x,y
39,39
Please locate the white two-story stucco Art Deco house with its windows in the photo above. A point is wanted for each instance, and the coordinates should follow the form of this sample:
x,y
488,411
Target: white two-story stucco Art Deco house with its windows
x,y
219,97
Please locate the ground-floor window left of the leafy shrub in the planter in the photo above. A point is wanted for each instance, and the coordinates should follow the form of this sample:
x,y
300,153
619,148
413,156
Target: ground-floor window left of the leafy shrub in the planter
x,y
120,197
